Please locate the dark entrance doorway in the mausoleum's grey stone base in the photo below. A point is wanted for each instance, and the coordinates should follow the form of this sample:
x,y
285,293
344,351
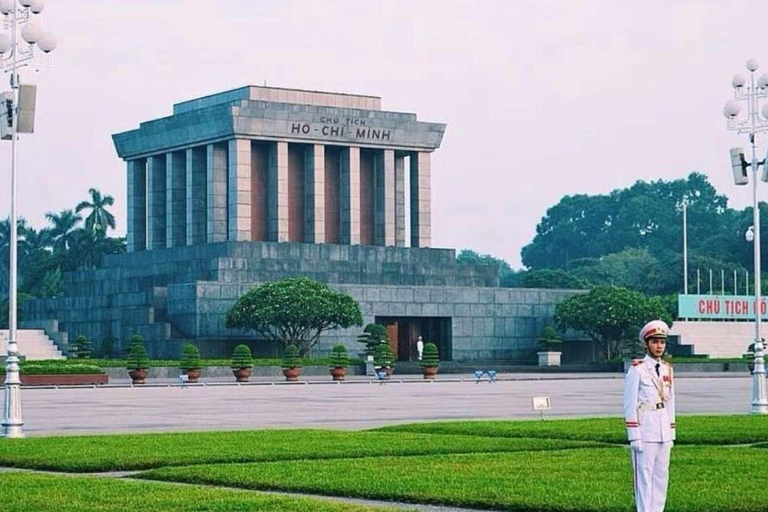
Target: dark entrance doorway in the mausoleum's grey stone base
x,y
403,333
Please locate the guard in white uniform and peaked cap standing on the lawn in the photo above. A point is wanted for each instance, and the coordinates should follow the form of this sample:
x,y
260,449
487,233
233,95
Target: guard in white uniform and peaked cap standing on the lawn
x,y
649,411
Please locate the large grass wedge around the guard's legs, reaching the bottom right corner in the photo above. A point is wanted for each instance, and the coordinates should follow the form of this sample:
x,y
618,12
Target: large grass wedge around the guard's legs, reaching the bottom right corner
x,y
595,480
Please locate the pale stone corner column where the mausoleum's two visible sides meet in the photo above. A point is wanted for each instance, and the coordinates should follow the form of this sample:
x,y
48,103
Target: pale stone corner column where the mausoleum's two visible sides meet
x,y
239,195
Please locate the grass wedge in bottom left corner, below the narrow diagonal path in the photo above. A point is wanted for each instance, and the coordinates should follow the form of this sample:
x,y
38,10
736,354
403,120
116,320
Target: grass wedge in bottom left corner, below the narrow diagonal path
x,y
23,492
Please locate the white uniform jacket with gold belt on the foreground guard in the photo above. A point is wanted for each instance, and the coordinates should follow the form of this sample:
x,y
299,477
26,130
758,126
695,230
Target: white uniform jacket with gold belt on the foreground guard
x,y
649,402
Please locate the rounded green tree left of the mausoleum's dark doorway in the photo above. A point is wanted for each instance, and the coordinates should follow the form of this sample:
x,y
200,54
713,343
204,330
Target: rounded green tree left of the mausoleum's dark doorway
x,y
294,311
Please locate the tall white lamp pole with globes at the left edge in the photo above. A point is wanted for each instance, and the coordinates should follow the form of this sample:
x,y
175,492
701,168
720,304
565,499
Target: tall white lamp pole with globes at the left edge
x,y
17,49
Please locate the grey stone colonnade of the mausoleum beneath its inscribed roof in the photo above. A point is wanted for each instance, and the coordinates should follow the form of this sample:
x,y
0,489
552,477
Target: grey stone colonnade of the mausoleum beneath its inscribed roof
x,y
243,190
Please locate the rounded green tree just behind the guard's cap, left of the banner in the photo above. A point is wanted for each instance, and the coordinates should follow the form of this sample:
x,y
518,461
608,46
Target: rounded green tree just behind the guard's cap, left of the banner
x,y
608,315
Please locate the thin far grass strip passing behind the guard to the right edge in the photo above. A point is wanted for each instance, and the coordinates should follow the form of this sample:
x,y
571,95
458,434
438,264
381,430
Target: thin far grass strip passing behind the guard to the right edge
x,y
706,430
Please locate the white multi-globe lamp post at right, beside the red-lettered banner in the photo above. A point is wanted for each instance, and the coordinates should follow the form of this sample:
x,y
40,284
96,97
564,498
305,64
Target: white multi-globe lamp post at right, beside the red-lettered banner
x,y
752,93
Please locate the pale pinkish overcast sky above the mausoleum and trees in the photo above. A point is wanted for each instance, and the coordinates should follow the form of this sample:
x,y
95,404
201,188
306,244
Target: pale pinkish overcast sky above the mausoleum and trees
x,y
542,98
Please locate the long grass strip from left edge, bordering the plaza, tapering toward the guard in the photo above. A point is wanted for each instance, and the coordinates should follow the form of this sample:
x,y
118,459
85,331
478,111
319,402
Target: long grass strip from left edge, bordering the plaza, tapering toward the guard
x,y
146,451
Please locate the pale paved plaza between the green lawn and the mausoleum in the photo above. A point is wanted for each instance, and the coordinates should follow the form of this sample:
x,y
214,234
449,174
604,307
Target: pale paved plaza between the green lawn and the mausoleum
x,y
353,405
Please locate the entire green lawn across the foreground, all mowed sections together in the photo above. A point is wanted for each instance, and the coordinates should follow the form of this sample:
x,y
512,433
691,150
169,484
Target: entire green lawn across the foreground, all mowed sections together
x,y
534,466
